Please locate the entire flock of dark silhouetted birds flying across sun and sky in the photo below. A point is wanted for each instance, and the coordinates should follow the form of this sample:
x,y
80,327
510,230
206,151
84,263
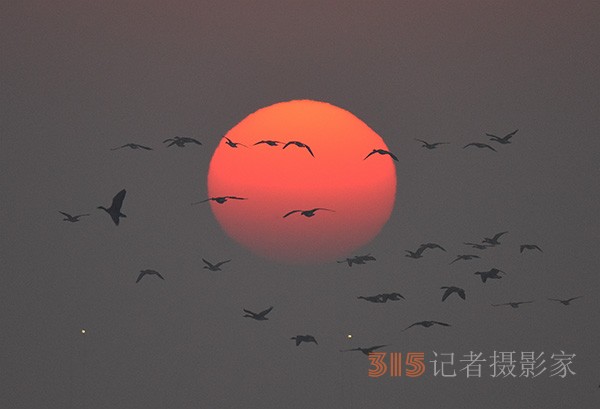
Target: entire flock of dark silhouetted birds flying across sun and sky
x,y
115,213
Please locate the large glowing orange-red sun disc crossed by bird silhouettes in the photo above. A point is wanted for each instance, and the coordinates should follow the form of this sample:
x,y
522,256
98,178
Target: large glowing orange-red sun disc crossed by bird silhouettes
x,y
274,181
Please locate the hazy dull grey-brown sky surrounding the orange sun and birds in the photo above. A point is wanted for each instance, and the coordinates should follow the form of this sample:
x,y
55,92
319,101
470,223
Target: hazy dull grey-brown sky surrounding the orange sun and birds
x,y
80,77
